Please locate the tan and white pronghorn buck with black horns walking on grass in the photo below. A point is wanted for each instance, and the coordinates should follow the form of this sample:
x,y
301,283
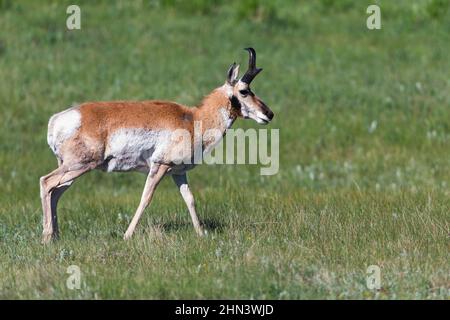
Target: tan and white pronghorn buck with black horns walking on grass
x,y
138,135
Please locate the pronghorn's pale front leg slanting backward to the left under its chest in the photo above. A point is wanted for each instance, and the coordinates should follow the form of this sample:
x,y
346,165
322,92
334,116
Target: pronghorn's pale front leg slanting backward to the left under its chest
x,y
157,171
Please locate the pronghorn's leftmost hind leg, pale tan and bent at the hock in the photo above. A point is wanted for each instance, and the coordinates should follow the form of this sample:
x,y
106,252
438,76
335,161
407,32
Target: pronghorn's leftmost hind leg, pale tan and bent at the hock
x,y
53,186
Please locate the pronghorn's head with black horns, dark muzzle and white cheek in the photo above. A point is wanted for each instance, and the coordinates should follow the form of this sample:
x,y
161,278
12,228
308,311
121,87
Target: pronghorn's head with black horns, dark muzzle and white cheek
x,y
247,104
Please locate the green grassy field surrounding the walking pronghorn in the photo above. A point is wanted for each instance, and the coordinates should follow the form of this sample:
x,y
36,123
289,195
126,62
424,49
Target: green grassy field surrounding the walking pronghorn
x,y
364,179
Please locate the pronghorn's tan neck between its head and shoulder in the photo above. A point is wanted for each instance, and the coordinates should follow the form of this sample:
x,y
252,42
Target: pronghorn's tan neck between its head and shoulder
x,y
216,112
